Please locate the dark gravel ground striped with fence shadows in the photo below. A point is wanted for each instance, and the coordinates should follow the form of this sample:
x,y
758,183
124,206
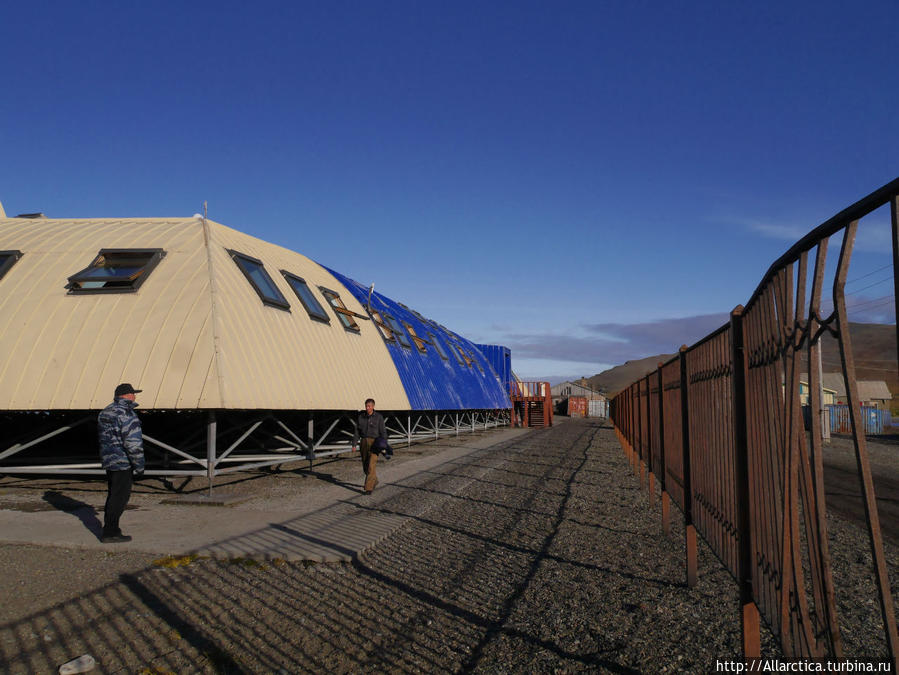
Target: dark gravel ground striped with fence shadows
x,y
538,554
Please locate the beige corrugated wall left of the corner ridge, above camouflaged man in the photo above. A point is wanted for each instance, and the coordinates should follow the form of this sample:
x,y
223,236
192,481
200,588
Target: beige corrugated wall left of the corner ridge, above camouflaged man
x,y
60,351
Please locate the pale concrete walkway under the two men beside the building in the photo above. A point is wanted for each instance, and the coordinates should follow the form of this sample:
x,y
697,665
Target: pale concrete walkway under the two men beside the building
x,y
321,522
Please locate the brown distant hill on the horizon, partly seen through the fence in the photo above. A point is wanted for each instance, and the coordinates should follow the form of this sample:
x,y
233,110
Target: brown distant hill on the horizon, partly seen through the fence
x,y
873,346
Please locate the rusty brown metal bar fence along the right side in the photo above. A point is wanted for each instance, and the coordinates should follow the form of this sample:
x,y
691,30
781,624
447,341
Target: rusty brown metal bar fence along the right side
x,y
721,426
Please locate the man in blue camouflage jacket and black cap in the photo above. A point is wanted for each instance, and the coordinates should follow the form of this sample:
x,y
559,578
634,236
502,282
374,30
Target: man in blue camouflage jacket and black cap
x,y
121,452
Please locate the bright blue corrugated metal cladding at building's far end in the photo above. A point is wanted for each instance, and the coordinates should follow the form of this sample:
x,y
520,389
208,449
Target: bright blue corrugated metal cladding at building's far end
x,y
432,383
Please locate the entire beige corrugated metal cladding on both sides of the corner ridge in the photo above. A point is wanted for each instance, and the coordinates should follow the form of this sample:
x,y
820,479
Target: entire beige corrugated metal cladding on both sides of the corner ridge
x,y
194,335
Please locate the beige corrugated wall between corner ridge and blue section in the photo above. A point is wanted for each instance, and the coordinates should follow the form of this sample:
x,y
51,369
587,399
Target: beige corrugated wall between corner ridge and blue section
x,y
274,359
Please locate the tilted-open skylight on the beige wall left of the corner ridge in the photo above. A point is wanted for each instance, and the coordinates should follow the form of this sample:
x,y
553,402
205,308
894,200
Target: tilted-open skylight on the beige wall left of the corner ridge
x,y
116,270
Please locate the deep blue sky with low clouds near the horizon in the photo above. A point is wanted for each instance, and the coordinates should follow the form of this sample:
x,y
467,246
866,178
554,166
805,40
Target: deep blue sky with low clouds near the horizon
x,y
585,182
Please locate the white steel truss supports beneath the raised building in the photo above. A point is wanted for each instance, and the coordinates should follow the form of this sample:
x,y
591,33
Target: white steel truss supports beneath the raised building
x,y
218,442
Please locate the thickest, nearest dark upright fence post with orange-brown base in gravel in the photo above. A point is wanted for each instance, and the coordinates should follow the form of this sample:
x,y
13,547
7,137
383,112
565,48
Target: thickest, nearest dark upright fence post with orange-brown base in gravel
x,y
749,616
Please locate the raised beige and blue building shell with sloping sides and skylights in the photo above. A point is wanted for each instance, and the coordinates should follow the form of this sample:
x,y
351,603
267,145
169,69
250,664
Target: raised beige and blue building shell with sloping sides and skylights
x,y
203,317
